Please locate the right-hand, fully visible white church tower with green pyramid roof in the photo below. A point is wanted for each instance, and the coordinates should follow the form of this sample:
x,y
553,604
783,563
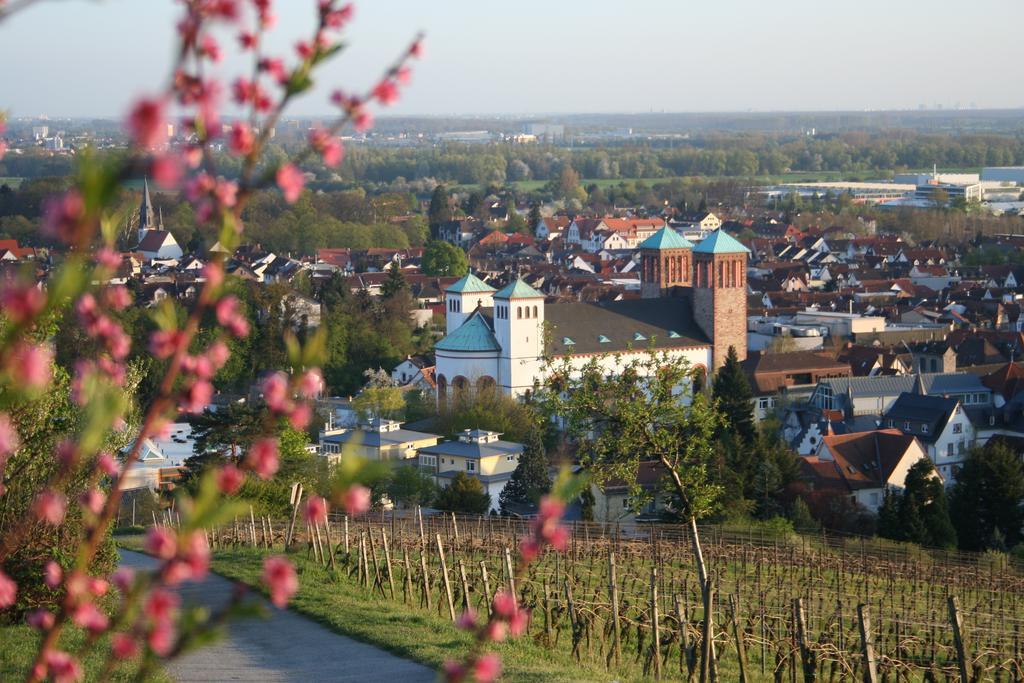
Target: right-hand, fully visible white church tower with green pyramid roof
x,y
520,330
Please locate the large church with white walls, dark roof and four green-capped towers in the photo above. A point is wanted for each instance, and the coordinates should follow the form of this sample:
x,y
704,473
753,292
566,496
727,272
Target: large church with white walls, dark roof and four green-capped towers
x,y
693,306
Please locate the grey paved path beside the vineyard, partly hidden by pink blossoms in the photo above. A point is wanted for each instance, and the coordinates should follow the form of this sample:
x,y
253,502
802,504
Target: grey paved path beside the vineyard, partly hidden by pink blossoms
x,y
285,648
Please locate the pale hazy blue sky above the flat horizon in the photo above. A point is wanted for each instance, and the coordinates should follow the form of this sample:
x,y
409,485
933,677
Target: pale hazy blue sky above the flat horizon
x,y
78,59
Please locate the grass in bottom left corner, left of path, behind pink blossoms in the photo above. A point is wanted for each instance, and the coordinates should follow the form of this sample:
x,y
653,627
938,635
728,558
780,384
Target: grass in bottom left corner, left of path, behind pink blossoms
x,y
18,650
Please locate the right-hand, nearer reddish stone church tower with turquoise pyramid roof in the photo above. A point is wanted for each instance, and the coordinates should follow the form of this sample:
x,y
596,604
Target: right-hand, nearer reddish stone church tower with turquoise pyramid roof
x,y
720,294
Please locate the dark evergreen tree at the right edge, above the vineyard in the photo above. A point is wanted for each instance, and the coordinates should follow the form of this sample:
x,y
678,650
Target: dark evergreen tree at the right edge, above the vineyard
x,y
987,501
